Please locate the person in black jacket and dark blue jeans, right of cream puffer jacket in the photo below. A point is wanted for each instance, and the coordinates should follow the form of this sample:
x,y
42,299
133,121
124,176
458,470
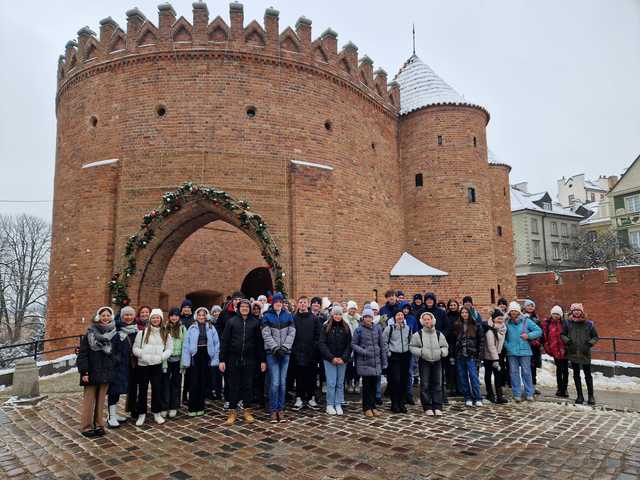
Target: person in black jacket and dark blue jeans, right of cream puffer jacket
x,y
469,344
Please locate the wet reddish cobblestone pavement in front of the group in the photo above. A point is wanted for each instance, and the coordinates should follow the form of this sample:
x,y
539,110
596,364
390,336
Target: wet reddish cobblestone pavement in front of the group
x,y
540,440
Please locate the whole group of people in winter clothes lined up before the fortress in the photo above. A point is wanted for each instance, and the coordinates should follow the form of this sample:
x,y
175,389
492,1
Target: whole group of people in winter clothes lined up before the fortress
x,y
247,347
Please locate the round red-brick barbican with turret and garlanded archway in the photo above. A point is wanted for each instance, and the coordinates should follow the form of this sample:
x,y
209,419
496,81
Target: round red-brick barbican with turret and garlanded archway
x,y
354,185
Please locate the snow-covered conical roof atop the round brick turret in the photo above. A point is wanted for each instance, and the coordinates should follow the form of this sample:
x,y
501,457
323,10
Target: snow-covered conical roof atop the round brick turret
x,y
420,86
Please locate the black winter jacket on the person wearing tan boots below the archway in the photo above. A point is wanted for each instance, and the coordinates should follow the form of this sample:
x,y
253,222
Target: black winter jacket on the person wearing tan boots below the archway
x,y
242,341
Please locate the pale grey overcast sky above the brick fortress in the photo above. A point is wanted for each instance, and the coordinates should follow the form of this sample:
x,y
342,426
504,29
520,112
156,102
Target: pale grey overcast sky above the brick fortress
x,y
560,78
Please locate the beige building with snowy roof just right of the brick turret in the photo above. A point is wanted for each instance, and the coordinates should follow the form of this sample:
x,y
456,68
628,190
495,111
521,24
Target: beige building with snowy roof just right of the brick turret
x,y
543,233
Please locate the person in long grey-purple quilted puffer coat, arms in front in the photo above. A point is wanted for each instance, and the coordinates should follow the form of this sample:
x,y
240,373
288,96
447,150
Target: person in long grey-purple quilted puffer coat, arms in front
x,y
370,358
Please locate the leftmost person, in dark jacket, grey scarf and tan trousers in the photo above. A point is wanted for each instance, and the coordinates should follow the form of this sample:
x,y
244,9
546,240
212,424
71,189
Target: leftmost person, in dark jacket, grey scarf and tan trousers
x,y
96,363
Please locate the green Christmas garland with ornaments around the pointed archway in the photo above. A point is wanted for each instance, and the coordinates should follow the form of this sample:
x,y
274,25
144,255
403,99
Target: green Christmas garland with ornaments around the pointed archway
x,y
174,201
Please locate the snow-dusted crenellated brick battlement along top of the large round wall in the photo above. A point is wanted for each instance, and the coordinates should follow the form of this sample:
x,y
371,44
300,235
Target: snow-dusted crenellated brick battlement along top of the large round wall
x,y
177,35
